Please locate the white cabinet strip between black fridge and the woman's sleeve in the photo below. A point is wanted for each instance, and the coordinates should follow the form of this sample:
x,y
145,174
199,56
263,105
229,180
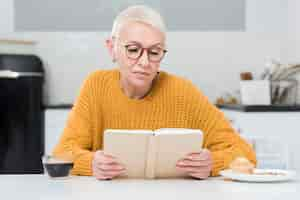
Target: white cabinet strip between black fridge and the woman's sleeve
x,y
55,120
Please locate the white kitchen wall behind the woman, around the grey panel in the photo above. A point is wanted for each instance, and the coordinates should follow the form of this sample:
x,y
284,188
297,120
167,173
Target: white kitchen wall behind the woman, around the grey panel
x,y
213,60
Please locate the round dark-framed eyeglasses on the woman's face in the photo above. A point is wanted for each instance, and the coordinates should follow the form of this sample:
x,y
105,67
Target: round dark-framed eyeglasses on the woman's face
x,y
135,51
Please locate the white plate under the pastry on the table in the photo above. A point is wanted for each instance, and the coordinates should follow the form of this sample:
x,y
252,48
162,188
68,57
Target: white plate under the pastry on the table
x,y
280,175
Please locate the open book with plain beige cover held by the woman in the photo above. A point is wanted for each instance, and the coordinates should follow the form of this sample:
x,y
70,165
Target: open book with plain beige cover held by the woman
x,y
152,154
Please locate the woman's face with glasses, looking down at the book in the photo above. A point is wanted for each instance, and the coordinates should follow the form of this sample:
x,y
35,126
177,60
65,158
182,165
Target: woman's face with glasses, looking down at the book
x,y
137,51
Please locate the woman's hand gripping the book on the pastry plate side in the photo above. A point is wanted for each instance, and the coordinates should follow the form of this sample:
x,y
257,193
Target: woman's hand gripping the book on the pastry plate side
x,y
197,164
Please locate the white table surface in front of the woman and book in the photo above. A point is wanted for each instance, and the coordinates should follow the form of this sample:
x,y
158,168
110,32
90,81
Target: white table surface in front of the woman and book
x,y
42,187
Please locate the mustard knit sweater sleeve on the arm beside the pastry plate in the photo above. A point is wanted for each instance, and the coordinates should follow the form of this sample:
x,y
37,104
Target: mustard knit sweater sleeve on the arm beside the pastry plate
x,y
219,137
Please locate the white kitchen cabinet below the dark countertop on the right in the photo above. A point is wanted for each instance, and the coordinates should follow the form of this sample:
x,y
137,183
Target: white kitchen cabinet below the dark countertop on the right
x,y
270,132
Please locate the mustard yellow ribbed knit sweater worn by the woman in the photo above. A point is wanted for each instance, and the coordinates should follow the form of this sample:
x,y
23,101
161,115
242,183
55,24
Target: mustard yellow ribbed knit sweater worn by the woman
x,y
173,102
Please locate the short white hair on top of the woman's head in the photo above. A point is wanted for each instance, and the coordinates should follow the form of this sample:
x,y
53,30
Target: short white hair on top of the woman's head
x,y
138,13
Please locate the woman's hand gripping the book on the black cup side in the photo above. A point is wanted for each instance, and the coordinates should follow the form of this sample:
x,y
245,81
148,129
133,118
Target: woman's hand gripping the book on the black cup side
x,y
106,167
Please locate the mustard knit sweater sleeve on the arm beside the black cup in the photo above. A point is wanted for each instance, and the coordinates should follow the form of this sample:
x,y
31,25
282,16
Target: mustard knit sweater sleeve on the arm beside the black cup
x,y
76,140
